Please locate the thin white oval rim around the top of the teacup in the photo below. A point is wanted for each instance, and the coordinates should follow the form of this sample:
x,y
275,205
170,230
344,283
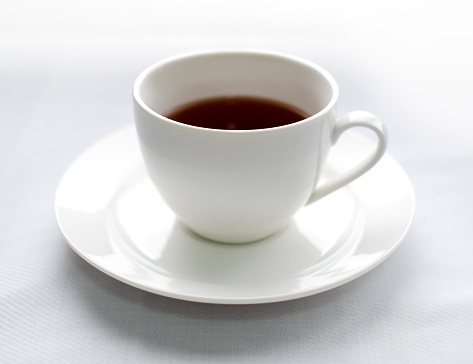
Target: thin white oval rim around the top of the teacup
x,y
148,70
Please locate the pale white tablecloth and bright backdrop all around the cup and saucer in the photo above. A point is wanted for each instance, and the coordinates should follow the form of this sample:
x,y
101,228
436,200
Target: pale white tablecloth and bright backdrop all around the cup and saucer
x,y
66,72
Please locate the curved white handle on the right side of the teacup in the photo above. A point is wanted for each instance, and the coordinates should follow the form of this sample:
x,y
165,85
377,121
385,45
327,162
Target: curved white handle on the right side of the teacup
x,y
352,120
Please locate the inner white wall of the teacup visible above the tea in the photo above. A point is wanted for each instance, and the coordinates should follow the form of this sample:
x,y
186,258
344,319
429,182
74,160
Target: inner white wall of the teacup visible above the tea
x,y
172,83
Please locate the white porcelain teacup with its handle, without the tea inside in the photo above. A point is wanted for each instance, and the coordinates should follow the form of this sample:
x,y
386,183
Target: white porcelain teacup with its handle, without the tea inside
x,y
239,186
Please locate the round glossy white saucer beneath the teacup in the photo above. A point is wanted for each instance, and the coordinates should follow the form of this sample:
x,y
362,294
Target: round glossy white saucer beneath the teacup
x,y
112,217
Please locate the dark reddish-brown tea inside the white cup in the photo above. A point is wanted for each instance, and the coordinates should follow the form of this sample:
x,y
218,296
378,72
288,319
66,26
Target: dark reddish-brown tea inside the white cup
x,y
237,113
